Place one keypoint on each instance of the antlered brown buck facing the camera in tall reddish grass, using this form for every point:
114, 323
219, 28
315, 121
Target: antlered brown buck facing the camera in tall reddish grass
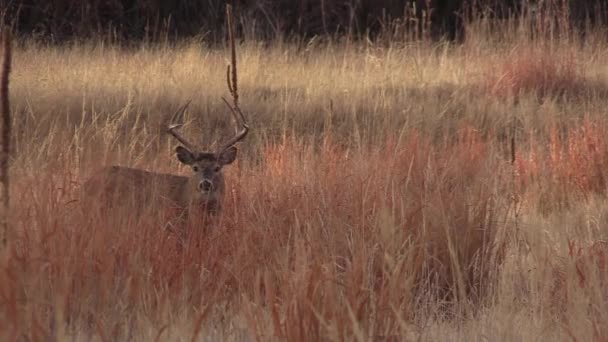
135, 189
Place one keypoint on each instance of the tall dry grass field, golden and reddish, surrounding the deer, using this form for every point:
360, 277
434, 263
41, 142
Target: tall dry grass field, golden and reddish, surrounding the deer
404, 192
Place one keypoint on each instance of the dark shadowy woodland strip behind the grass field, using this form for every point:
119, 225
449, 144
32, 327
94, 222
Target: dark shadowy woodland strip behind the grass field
154, 20
